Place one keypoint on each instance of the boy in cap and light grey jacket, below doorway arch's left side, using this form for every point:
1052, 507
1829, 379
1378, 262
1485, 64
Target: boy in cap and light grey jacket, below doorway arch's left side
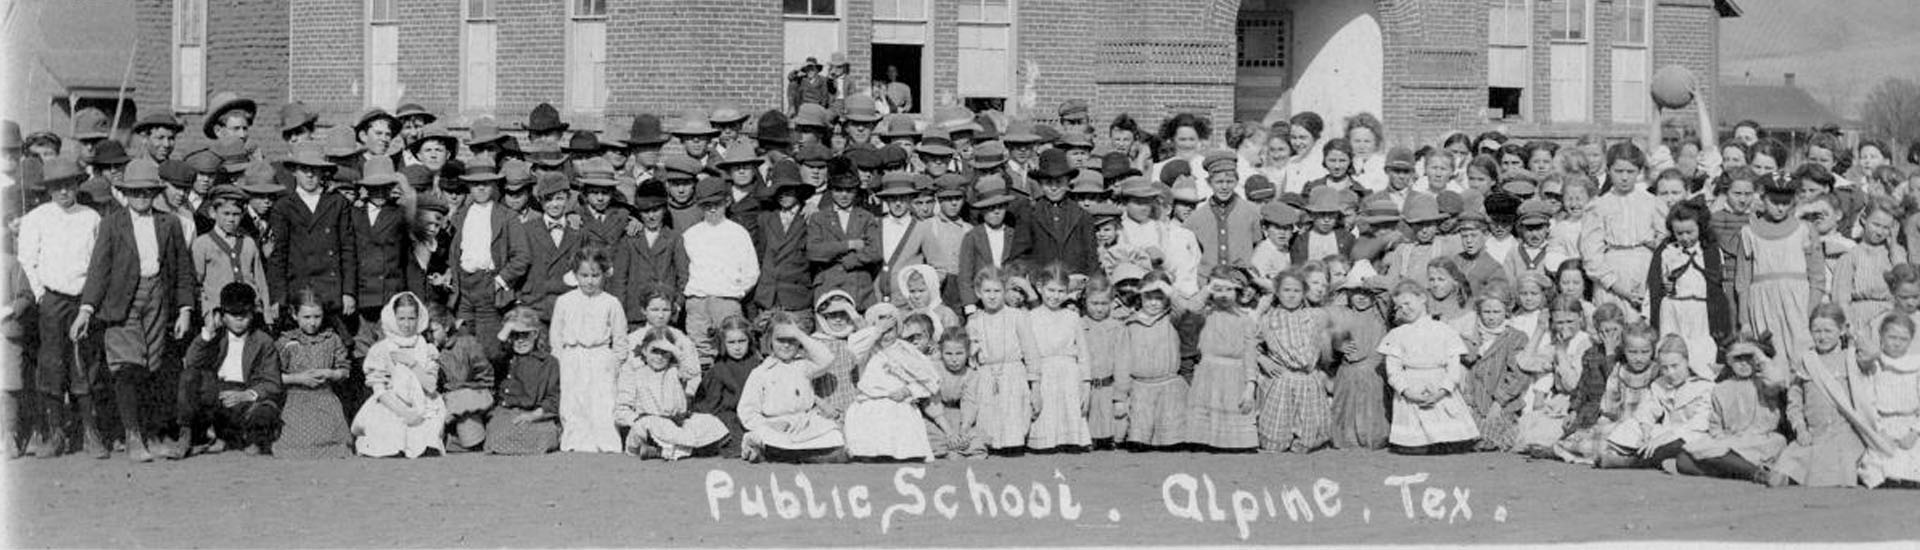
1228, 226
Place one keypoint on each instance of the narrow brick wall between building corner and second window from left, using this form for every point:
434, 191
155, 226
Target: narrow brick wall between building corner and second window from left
327, 43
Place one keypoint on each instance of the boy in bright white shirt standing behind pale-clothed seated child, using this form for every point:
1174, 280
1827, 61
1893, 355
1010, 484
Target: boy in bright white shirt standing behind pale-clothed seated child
721, 266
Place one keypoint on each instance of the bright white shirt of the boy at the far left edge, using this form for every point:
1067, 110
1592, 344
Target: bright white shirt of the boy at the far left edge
57, 245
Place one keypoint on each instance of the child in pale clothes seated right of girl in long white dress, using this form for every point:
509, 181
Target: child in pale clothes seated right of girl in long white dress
654, 399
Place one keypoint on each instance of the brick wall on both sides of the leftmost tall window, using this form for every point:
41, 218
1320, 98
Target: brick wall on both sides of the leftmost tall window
247, 55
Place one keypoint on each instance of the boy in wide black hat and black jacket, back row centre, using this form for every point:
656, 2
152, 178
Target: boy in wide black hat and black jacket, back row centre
1053, 228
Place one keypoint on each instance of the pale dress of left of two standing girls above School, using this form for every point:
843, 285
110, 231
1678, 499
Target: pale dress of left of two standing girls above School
1003, 345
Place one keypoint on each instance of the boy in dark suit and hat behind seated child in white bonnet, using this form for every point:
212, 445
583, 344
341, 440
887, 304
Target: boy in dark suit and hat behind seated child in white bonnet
385, 249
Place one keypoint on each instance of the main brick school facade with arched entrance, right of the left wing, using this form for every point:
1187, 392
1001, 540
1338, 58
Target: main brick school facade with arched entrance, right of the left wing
1537, 68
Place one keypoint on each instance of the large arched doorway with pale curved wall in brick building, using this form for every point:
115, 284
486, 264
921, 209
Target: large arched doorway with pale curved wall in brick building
1308, 57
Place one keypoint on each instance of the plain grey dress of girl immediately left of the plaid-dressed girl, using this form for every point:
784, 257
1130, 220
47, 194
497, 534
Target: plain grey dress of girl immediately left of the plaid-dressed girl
1226, 368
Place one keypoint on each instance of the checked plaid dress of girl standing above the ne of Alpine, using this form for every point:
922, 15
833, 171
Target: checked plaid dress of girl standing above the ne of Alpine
1295, 407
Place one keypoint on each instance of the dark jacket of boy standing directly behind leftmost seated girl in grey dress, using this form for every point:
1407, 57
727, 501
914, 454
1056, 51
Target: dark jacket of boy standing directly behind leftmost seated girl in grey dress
312, 247
